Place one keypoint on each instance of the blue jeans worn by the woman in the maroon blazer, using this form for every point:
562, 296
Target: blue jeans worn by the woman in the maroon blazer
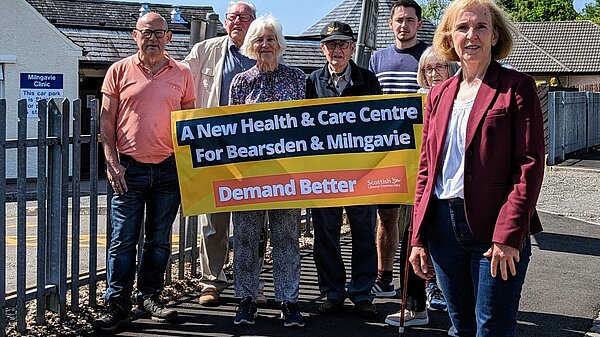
478, 304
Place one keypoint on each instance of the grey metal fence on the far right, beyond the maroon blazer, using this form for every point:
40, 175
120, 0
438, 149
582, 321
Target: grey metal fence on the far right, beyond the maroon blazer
573, 123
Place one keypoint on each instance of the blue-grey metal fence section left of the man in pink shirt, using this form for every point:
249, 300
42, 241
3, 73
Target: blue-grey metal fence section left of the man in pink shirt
57, 150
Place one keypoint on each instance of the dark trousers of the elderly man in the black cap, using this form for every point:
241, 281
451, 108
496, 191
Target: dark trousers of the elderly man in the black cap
328, 257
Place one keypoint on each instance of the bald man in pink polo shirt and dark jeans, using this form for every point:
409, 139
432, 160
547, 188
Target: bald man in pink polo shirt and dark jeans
140, 92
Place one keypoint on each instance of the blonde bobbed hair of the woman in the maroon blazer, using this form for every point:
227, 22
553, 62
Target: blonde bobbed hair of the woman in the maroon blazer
500, 22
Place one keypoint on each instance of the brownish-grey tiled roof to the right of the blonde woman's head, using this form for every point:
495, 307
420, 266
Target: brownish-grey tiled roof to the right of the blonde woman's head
560, 46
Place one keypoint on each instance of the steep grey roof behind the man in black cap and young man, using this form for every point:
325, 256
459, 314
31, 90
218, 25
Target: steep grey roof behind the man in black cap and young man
349, 12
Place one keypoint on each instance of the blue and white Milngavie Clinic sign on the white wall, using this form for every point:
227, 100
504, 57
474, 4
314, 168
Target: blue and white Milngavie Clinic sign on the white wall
35, 86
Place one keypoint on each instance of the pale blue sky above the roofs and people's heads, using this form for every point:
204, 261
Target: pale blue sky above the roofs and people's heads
295, 15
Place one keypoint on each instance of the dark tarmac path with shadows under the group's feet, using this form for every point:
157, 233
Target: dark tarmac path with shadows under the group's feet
560, 298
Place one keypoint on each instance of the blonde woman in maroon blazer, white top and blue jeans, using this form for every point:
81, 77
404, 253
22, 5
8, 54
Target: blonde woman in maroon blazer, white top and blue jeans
480, 173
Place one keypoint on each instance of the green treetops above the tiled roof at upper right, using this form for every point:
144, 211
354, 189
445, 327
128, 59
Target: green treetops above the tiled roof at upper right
544, 10
